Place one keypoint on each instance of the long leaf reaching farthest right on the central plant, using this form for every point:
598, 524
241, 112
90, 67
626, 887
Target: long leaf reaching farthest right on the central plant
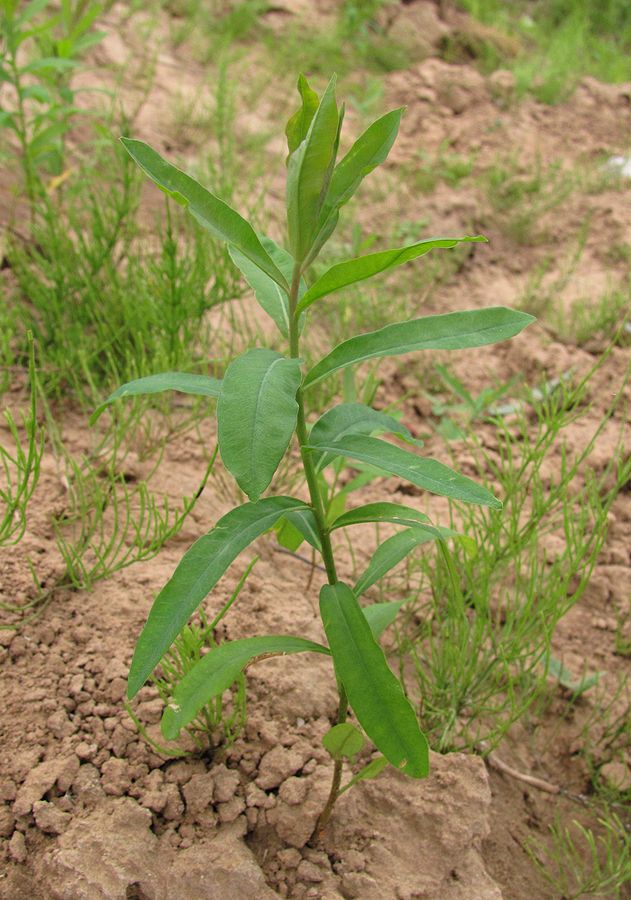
451, 331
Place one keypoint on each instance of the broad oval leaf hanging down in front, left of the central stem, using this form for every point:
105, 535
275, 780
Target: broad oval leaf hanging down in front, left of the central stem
256, 416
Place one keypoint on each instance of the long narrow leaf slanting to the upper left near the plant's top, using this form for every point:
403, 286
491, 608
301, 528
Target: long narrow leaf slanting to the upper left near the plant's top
213, 214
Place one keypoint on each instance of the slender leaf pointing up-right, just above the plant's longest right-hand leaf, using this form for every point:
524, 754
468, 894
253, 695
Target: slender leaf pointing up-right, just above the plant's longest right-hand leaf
353, 270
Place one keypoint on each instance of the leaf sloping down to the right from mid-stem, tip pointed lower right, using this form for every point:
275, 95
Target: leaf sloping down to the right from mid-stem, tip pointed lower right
428, 474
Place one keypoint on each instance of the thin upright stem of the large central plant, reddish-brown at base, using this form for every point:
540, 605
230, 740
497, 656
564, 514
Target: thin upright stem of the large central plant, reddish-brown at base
323, 531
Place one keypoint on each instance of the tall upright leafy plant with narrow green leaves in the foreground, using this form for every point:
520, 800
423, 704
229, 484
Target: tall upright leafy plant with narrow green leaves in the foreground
261, 408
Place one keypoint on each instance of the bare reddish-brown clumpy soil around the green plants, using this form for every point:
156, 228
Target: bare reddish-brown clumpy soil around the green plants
88, 810
